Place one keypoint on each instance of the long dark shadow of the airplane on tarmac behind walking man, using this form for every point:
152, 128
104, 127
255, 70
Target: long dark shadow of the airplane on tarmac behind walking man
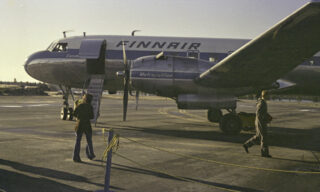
278, 136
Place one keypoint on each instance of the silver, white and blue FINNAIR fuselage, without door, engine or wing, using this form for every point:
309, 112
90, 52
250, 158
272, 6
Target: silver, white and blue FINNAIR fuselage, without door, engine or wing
61, 64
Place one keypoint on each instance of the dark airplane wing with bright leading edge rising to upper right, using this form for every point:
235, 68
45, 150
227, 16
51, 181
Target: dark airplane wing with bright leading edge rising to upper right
268, 57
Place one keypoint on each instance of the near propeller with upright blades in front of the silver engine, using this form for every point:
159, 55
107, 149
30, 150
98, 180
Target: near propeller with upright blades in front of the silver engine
126, 83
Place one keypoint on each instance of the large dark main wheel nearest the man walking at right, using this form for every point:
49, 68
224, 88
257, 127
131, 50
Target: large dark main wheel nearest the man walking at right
230, 124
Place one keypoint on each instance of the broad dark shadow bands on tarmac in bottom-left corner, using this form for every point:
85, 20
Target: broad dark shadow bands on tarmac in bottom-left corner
9, 179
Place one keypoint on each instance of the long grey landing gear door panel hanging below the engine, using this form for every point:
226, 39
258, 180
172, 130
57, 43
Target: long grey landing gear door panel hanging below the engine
196, 101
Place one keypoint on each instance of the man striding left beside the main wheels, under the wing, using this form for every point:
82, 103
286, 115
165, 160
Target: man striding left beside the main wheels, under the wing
262, 118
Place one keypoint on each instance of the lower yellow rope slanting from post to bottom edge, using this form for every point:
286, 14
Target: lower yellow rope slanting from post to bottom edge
174, 176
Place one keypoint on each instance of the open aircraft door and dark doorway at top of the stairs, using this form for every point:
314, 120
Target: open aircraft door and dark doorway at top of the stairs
94, 51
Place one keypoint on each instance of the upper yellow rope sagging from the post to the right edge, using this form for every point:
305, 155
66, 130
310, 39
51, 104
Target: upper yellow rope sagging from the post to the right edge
224, 163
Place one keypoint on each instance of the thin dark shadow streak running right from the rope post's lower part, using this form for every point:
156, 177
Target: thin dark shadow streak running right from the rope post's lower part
149, 172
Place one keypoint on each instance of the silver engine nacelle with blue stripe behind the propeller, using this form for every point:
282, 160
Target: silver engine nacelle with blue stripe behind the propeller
167, 75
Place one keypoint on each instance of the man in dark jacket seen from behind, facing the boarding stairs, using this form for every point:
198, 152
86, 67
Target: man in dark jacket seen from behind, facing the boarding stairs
84, 113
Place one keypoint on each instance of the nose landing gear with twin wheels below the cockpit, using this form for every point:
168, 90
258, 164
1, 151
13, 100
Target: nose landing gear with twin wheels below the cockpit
66, 112
